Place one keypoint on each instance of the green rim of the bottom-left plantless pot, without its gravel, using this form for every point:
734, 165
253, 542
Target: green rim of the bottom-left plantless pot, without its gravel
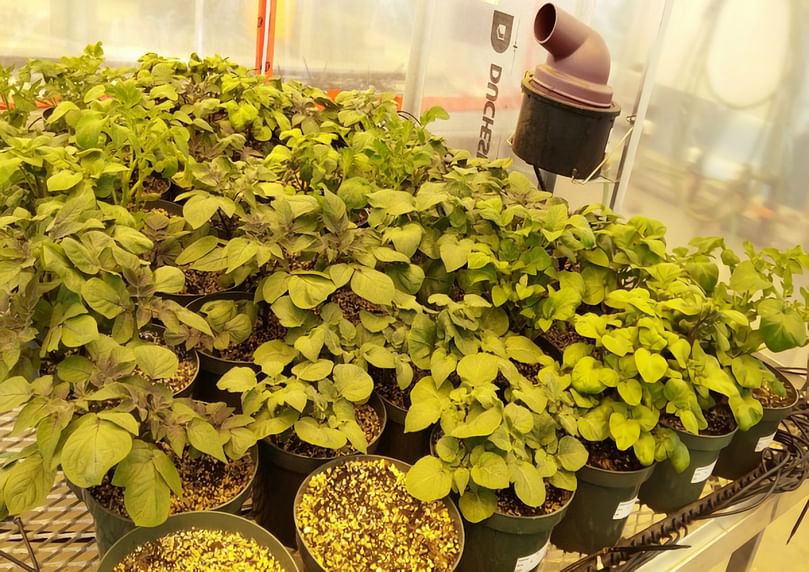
207, 520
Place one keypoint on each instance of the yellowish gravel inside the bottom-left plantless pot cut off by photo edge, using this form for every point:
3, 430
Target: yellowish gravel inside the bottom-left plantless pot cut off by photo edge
200, 550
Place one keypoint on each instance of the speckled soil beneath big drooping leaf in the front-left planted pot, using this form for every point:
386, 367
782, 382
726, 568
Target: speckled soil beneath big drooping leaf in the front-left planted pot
207, 483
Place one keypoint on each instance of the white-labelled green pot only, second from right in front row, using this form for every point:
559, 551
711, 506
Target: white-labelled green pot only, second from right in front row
667, 490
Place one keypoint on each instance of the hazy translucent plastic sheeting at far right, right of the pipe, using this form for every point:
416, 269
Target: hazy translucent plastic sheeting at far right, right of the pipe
725, 145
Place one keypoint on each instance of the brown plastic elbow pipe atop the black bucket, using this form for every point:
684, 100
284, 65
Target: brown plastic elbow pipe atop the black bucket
578, 64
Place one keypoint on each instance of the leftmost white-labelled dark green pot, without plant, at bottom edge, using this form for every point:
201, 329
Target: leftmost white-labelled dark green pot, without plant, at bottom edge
504, 543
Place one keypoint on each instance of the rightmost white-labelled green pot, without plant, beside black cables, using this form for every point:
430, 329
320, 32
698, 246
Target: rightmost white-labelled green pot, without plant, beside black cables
745, 451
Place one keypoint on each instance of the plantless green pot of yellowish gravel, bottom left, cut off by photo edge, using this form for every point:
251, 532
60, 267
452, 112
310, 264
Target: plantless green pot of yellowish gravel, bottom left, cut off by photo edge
197, 539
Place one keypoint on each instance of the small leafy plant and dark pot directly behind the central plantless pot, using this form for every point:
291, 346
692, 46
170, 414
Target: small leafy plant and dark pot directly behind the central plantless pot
323, 409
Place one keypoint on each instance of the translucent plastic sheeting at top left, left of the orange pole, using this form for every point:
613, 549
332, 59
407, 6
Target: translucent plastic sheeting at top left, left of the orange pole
128, 28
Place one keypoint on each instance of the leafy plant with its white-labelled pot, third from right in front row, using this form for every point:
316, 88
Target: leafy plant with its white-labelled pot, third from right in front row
616, 417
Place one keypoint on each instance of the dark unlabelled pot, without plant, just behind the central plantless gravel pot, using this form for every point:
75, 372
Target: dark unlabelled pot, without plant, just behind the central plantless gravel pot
281, 474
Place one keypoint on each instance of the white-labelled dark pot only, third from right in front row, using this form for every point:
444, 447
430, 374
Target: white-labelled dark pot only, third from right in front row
596, 516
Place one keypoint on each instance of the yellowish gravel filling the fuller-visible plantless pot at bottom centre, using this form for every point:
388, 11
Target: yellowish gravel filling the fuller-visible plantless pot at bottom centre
359, 516
